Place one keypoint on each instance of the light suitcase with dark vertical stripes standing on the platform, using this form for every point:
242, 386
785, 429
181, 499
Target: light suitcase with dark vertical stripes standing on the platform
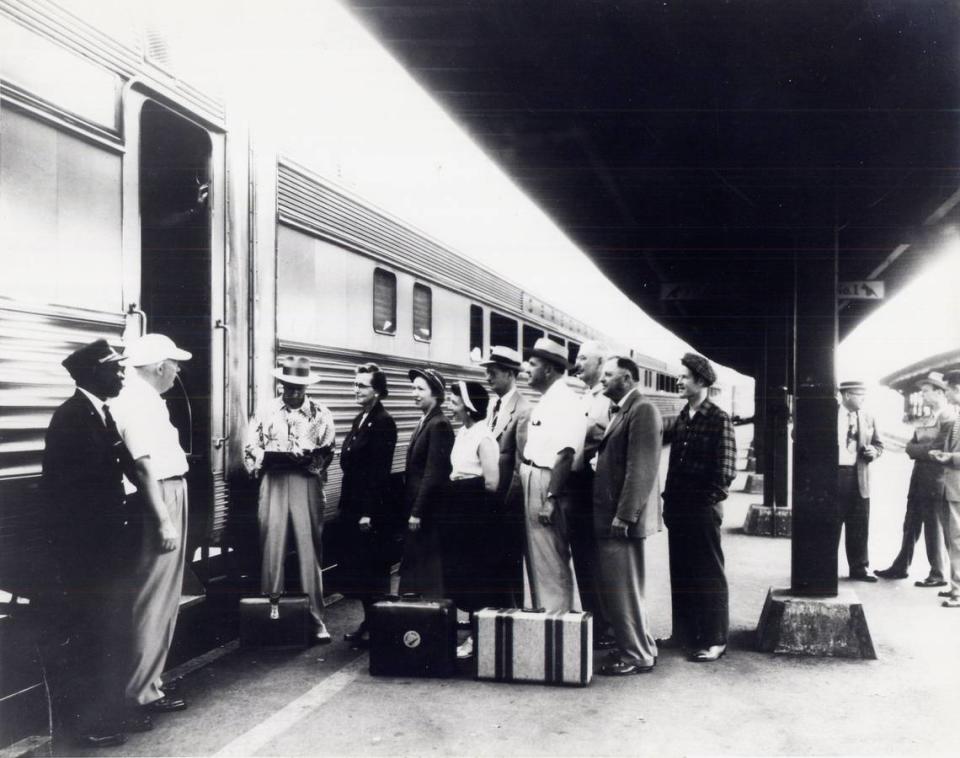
514, 645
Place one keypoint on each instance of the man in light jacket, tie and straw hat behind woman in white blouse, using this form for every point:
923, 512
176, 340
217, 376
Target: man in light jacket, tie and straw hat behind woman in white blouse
505, 417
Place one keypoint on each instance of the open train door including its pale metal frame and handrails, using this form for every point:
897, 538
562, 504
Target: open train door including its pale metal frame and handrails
174, 240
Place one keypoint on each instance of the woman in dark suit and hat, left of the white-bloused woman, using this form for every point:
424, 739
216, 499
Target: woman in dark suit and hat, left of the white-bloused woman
426, 487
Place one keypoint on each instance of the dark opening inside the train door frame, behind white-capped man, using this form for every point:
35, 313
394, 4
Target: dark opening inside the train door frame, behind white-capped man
177, 284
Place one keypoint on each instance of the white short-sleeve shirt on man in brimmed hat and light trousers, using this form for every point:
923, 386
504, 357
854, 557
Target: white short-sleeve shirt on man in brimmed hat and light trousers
557, 422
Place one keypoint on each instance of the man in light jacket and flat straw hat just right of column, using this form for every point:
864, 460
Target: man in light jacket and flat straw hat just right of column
860, 445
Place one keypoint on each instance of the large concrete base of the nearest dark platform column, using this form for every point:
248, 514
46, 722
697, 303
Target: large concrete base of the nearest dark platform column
821, 626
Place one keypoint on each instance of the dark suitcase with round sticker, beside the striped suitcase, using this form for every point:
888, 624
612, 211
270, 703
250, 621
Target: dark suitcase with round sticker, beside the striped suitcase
410, 636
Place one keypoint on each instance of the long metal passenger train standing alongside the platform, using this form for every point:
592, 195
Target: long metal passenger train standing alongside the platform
130, 202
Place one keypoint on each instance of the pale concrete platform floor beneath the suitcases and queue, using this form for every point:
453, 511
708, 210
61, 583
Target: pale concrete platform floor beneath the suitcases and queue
323, 702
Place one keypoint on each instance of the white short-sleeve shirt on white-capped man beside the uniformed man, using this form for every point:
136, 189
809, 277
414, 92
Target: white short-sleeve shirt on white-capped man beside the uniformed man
143, 420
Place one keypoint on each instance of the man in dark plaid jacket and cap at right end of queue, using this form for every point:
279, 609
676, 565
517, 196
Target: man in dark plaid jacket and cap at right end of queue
702, 466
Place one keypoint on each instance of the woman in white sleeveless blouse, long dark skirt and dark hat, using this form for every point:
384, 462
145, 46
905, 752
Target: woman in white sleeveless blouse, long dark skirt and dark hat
466, 535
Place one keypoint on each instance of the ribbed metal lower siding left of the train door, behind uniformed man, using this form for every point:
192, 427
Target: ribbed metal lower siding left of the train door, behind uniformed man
33, 384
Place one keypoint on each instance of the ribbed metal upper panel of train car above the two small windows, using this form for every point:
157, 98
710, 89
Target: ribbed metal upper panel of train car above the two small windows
305, 203
